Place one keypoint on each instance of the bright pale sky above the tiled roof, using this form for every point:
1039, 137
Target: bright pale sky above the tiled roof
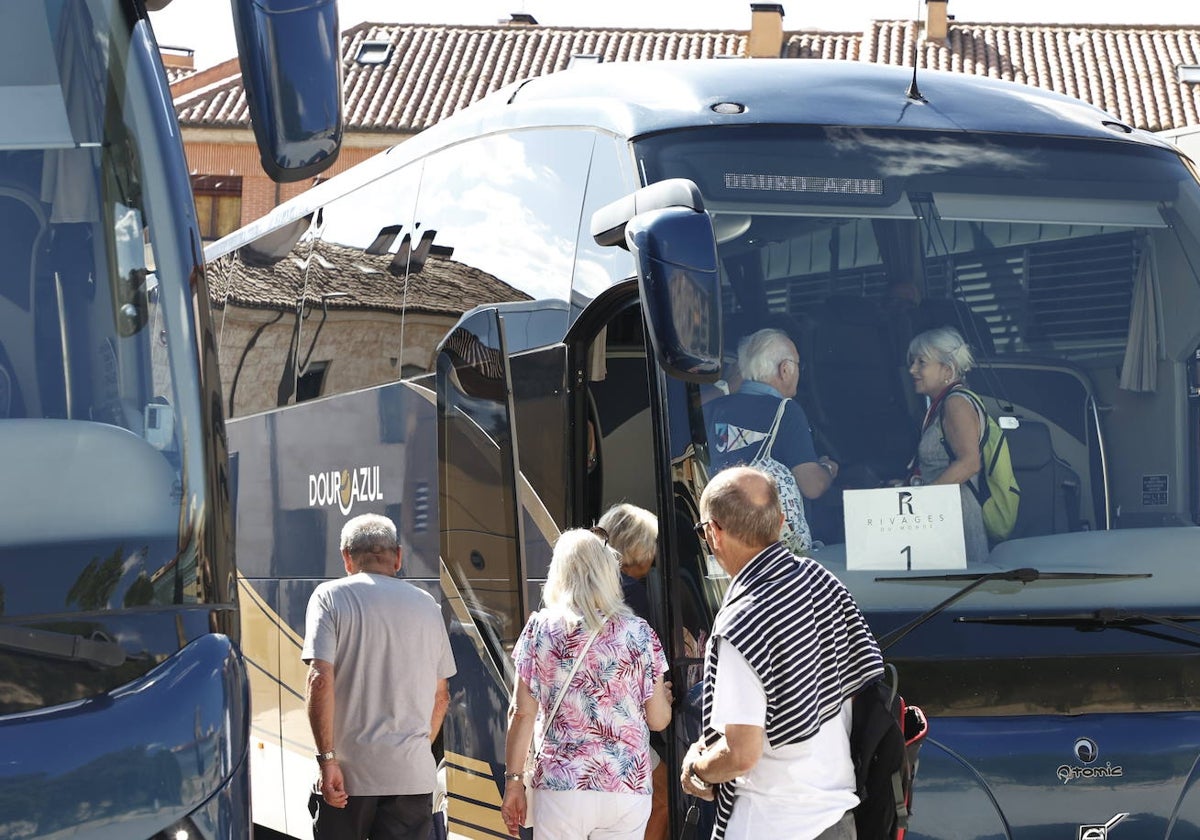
207, 26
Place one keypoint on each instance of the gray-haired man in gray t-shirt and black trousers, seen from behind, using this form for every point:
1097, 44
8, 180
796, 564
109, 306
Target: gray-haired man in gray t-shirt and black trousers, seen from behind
379, 662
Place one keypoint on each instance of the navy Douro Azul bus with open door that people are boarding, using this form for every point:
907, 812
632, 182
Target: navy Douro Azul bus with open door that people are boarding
517, 319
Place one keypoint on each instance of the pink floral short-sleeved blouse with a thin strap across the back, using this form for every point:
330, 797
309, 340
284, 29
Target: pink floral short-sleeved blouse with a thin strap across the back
598, 740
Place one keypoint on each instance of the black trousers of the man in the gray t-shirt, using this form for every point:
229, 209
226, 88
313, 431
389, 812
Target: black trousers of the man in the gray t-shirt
394, 818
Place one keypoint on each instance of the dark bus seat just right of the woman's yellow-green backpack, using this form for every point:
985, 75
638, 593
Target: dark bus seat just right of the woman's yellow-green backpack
1051, 489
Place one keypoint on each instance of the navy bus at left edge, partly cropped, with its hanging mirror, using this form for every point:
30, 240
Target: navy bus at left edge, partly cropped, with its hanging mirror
123, 693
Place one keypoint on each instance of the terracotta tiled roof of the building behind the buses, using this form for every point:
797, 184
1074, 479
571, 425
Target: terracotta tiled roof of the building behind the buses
428, 73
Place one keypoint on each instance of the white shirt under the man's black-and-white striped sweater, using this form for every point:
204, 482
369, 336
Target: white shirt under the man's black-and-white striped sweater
795, 791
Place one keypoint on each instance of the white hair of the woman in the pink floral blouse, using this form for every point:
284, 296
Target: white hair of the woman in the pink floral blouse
584, 584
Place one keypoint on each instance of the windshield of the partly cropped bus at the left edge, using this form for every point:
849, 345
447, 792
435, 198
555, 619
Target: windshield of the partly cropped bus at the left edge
94, 338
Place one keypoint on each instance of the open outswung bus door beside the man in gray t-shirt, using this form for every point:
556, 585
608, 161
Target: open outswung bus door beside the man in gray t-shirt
482, 562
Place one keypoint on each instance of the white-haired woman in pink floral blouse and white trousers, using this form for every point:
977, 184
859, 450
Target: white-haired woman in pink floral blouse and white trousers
593, 773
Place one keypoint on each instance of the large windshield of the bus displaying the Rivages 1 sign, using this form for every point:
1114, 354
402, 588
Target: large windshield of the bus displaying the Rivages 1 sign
1071, 269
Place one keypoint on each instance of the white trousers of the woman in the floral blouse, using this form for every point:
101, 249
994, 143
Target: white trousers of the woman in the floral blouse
590, 815
